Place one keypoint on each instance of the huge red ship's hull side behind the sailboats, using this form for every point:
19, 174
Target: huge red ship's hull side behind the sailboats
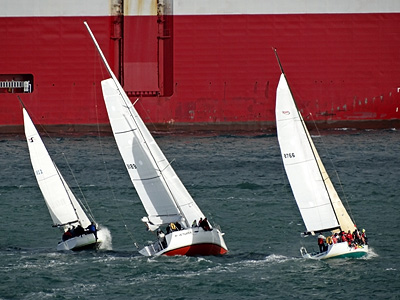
212, 71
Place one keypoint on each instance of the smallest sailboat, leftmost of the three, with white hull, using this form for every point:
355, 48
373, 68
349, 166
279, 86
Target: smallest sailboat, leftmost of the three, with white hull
79, 232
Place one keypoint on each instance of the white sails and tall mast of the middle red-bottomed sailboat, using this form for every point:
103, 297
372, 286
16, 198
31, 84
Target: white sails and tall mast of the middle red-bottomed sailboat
162, 193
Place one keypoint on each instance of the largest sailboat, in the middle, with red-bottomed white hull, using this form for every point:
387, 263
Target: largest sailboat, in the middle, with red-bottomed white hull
166, 201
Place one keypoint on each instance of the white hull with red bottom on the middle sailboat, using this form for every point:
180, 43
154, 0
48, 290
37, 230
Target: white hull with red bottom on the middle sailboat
191, 241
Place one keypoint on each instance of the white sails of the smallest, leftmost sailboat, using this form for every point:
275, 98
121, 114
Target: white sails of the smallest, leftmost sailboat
62, 204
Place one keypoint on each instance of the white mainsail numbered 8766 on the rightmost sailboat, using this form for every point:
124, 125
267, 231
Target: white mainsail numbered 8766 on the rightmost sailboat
310, 183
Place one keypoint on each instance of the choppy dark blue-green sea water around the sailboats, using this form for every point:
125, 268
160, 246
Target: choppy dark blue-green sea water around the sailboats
240, 185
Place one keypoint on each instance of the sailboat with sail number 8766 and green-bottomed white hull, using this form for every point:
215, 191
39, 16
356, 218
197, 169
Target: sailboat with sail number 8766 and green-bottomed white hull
318, 202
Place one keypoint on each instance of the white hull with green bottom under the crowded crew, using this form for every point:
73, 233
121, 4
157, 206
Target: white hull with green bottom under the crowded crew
339, 250
